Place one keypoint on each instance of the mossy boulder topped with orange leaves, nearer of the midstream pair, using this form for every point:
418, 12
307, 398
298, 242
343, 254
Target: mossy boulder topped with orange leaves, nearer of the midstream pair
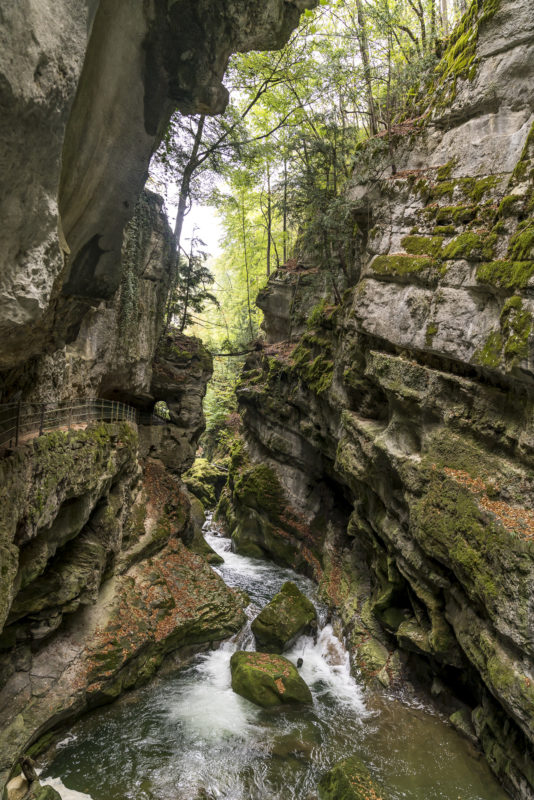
267, 679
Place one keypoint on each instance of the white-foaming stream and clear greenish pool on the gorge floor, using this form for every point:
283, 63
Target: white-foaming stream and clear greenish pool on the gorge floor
188, 736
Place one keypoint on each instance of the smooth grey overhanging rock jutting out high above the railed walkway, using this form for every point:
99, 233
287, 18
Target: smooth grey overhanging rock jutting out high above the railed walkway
86, 90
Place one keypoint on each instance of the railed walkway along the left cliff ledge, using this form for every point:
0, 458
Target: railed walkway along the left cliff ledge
20, 422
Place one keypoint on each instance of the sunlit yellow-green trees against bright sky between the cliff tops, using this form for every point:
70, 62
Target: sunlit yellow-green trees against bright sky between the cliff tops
274, 166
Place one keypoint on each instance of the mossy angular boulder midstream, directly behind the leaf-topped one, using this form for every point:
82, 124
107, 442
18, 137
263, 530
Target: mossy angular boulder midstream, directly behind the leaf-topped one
287, 616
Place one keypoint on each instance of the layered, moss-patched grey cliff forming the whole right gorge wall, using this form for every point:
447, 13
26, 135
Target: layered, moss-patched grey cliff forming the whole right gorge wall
395, 432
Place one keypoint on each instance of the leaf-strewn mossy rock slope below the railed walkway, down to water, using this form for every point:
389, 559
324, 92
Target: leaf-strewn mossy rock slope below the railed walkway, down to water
97, 583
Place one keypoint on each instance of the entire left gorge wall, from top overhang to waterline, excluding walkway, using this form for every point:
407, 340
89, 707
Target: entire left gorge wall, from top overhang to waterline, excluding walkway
97, 582
